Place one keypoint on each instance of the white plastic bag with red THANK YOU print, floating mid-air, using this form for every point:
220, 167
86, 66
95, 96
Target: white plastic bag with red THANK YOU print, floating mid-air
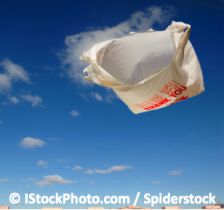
148, 70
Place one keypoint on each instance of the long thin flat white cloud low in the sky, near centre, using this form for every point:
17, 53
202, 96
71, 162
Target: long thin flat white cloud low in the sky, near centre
112, 169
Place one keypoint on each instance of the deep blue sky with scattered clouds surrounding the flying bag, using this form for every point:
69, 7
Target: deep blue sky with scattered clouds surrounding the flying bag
51, 123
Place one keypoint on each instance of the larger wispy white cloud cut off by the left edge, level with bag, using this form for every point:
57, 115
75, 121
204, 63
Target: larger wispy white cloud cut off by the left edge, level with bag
11, 73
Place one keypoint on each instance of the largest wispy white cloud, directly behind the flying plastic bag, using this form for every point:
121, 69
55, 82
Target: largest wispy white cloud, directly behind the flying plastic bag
78, 43
